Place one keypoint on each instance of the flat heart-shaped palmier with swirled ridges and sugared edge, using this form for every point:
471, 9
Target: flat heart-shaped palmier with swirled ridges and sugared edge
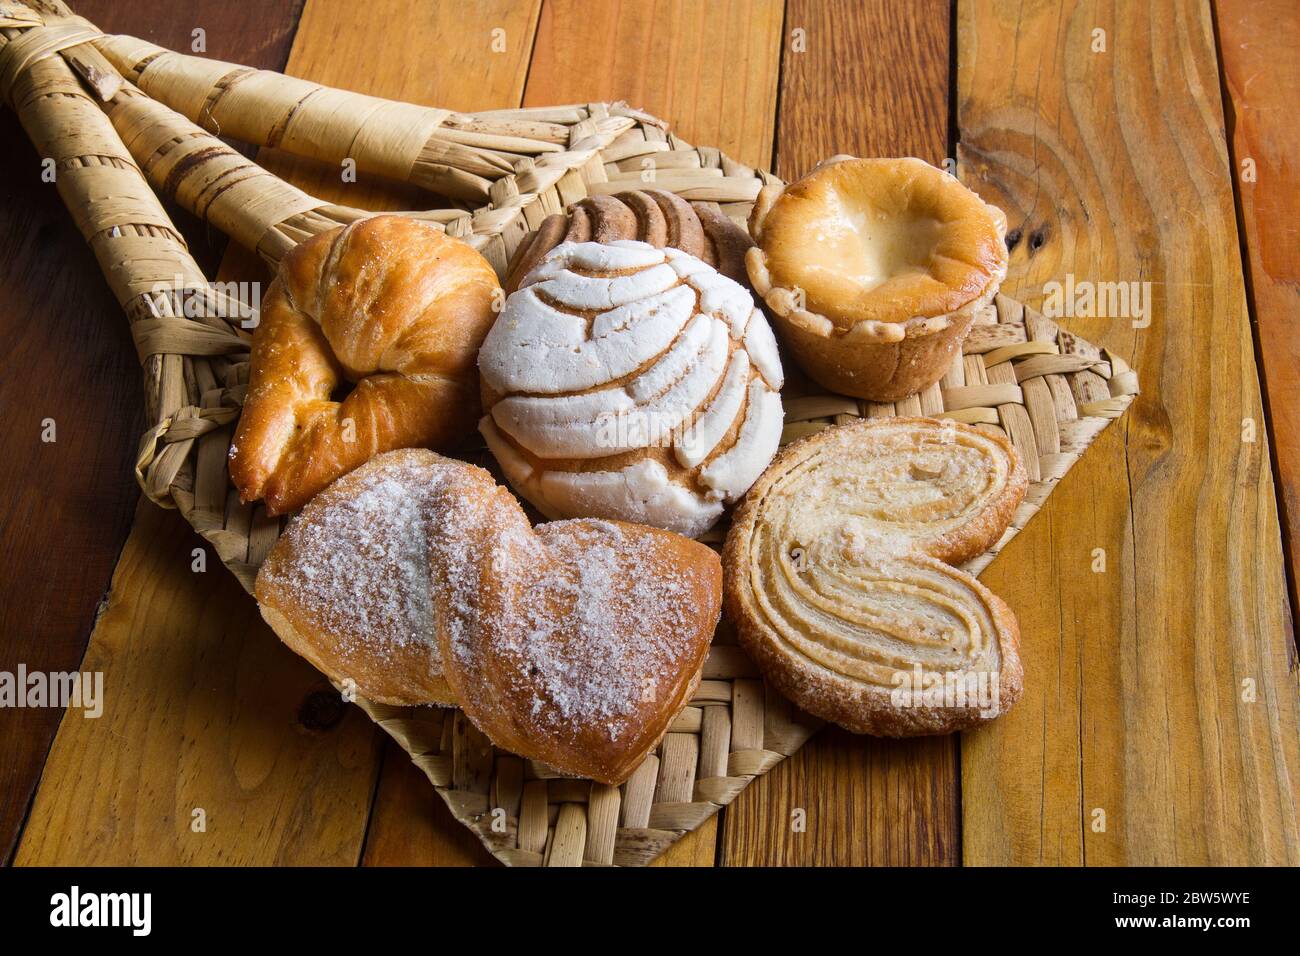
840, 579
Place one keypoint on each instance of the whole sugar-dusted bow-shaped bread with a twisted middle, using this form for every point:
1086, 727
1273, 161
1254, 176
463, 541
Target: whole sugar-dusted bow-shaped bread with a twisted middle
418, 579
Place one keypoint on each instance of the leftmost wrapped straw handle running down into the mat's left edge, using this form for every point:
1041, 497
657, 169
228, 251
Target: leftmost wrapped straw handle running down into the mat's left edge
194, 366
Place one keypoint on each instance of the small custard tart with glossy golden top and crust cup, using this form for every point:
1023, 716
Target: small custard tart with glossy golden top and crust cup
876, 270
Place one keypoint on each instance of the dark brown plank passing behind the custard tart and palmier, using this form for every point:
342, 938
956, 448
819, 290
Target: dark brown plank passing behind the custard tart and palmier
872, 80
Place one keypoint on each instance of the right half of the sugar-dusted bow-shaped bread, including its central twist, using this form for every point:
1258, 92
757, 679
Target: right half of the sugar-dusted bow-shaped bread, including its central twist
574, 643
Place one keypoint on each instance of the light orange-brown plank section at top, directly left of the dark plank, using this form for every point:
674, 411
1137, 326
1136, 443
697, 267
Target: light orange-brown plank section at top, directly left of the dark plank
662, 57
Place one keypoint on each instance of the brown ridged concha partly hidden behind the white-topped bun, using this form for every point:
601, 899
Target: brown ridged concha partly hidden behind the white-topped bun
655, 217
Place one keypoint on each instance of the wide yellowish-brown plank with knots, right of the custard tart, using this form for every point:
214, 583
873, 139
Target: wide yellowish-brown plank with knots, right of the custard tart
1112, 166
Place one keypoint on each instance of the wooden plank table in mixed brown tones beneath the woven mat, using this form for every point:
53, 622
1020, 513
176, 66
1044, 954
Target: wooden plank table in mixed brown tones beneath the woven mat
1129, 141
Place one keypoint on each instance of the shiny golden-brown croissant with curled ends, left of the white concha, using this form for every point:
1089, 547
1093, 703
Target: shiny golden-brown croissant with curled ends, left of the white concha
389, 304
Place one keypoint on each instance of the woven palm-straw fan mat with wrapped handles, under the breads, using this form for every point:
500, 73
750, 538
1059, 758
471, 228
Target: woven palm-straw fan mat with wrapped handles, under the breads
88, 102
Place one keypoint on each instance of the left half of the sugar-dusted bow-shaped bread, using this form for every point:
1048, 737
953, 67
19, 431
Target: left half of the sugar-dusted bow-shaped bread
346, 585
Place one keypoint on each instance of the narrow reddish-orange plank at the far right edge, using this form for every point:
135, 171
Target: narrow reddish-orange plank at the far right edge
1260, 55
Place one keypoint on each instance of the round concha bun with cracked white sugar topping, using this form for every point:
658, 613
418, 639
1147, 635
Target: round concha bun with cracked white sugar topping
631, 383
